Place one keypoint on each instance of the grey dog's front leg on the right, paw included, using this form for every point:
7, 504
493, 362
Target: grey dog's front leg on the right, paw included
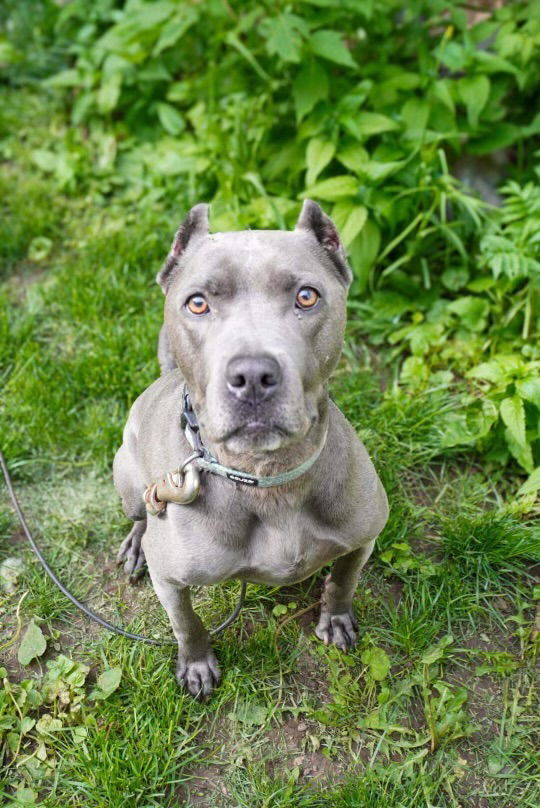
337, 623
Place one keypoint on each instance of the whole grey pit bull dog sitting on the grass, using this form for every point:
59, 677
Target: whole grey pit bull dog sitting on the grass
254, 324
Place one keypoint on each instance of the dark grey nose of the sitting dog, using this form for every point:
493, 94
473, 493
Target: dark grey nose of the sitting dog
253, 379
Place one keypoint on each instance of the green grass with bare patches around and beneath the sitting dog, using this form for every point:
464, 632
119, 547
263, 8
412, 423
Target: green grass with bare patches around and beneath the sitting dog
447, 599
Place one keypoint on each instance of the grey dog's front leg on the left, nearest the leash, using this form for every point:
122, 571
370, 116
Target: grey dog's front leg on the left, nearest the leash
197, 668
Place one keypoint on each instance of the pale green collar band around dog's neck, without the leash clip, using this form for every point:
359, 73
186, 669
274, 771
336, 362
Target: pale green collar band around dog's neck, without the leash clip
207, 462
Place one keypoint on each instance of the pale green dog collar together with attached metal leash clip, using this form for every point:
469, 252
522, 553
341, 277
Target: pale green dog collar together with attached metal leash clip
183, 485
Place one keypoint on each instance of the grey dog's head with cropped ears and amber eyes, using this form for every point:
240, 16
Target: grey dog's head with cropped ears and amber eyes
255, 321
